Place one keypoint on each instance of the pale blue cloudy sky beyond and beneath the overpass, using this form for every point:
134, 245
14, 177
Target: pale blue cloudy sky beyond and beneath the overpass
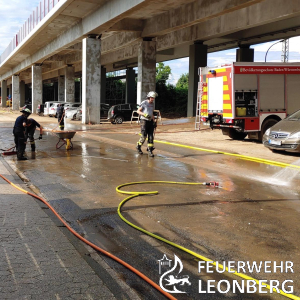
14, 13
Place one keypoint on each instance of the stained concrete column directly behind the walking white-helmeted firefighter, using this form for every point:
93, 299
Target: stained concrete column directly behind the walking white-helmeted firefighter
146, 69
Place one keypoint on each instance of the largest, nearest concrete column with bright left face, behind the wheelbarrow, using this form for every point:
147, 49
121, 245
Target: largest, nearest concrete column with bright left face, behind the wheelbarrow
91, 80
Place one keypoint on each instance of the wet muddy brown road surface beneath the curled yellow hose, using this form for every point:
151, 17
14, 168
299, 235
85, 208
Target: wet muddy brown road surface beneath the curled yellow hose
253, 216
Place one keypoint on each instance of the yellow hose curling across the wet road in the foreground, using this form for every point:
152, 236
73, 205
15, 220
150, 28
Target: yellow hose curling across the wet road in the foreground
201, 257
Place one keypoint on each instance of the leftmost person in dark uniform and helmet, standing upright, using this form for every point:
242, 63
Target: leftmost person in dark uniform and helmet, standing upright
19, 133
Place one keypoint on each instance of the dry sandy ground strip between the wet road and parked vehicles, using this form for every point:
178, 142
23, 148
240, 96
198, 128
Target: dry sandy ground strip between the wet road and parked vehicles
181, 131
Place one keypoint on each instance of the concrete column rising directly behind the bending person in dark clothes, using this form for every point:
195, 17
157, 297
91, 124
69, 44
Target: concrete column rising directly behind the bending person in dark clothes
37, 87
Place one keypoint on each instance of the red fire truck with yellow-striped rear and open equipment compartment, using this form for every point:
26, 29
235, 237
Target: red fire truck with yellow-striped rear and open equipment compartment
248, 98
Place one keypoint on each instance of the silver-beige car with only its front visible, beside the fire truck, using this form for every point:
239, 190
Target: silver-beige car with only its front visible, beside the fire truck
284, 135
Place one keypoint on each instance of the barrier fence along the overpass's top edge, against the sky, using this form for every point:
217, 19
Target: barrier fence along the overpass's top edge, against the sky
37, 15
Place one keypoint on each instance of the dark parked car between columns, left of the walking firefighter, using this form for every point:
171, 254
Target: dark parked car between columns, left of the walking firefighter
121, 112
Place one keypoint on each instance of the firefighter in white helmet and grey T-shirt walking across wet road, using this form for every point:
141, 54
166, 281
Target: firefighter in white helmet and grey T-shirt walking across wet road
147, 122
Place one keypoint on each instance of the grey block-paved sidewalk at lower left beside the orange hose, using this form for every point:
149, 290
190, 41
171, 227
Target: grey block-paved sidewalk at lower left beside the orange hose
40, 259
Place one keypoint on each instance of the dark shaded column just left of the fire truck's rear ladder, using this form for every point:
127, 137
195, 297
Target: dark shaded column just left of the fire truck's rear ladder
197, 59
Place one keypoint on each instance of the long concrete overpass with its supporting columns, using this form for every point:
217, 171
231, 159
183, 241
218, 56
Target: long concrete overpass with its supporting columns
91, 37
